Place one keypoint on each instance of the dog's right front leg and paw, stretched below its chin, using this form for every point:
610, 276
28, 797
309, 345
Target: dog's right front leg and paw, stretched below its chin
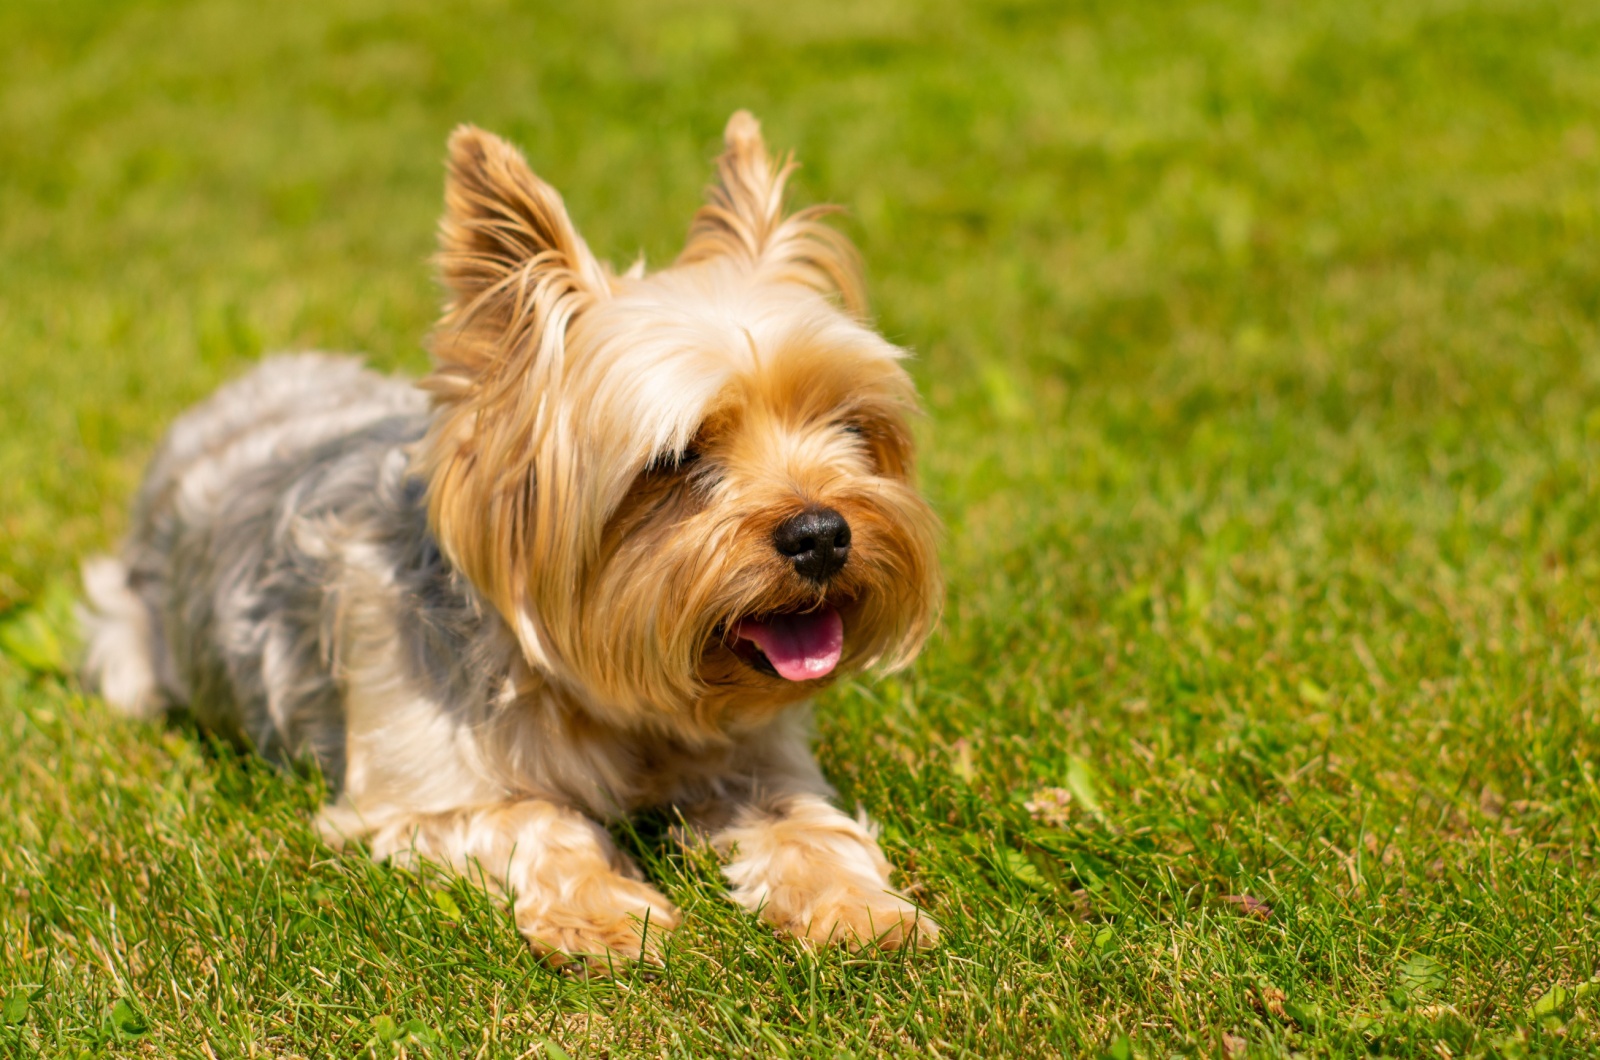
818, 875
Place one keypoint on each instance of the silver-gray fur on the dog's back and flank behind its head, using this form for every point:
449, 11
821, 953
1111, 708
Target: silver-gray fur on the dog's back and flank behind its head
250, 505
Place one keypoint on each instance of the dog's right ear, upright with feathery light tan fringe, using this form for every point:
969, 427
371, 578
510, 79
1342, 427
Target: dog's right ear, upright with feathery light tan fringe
745, 220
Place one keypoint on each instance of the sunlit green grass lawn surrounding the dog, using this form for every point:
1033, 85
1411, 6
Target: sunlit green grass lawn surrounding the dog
1262, 350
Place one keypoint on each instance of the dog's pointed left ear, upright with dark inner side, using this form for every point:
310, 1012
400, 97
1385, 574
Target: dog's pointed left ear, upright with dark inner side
514, 265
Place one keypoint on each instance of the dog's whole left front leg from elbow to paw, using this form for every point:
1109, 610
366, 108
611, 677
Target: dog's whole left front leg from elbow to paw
574, 893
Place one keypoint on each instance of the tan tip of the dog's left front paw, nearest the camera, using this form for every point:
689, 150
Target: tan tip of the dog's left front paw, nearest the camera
601, 928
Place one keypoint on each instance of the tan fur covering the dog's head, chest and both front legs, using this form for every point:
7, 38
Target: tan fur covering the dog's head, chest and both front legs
620, 568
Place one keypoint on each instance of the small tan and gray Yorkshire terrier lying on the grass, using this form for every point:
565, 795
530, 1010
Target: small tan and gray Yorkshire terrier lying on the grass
596, 563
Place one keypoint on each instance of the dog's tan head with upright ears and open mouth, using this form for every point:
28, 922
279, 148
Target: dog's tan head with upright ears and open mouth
687, 492
